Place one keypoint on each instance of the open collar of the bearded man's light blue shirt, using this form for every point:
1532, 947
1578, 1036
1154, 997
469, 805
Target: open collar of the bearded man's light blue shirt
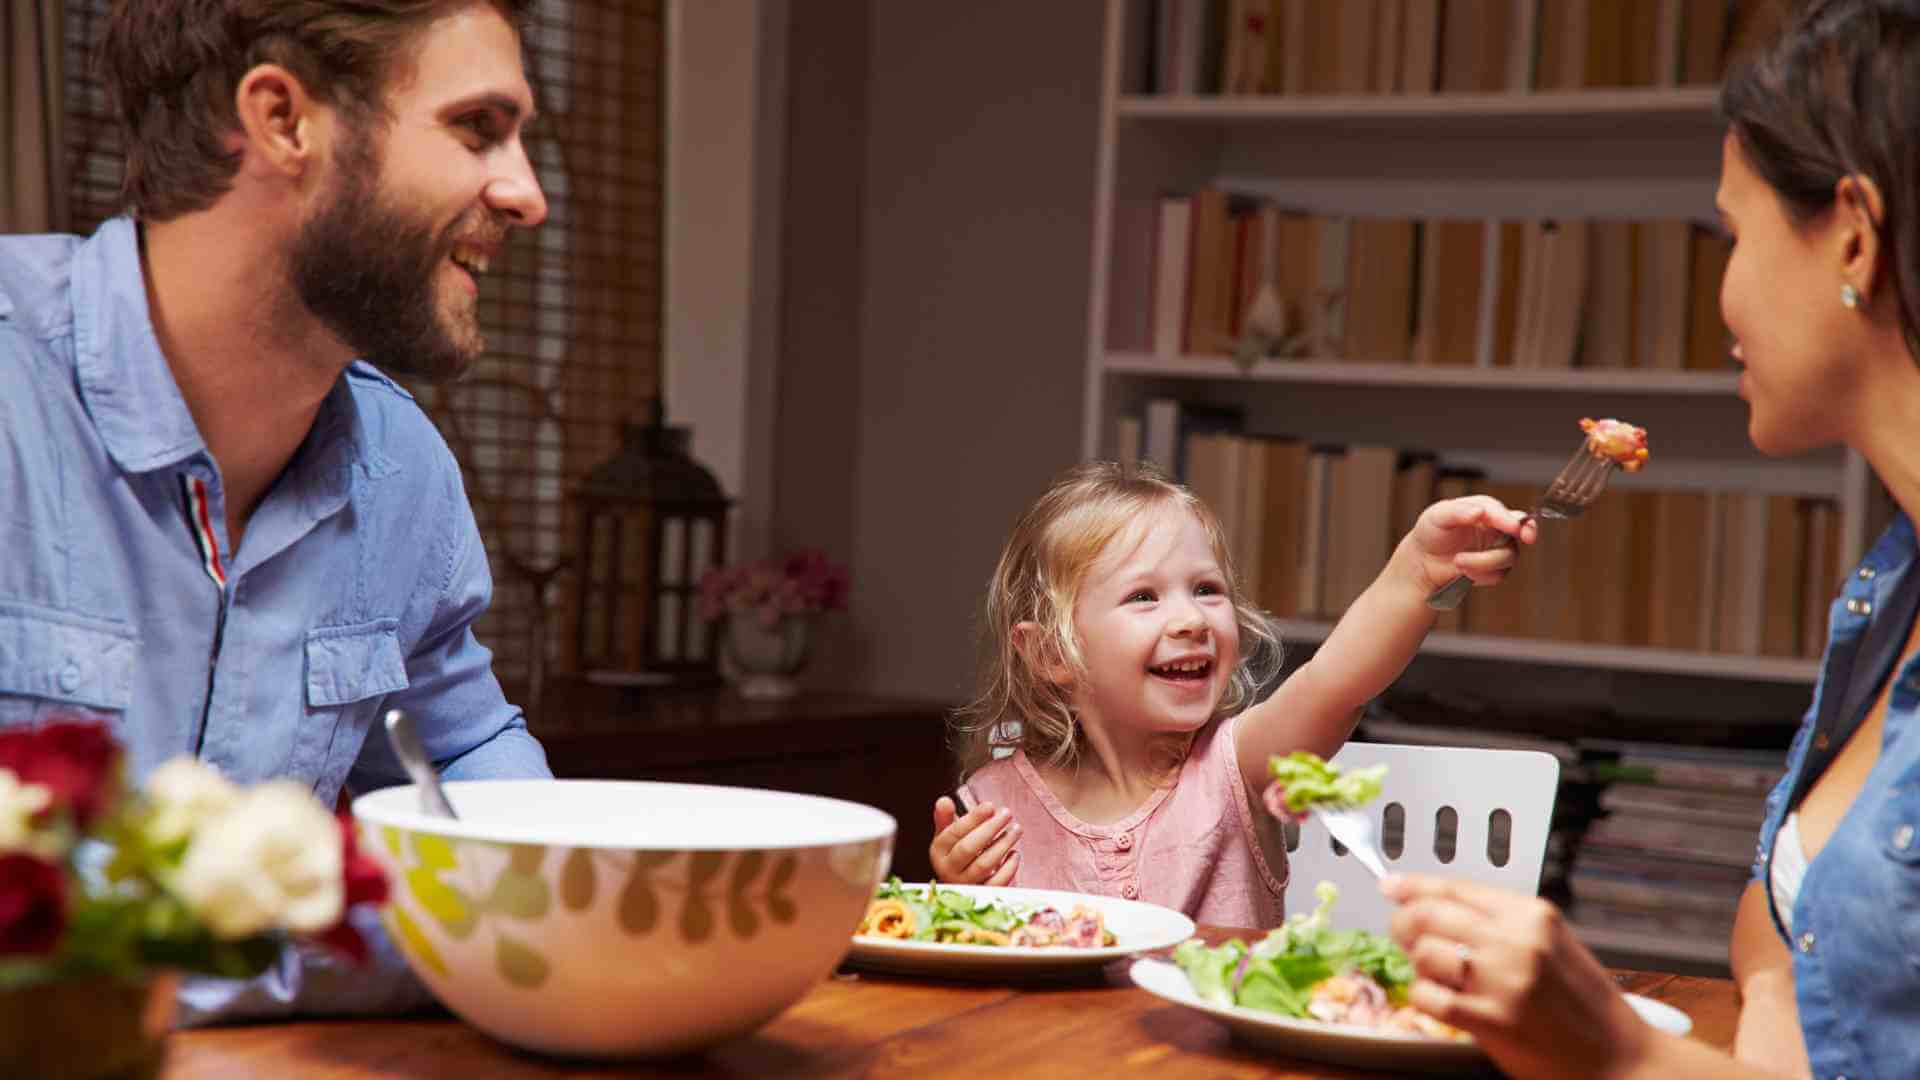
135, 403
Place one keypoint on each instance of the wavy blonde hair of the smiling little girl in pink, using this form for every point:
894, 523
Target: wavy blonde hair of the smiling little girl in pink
1040, 579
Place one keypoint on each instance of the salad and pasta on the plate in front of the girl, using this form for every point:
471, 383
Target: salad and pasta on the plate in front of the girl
951, 918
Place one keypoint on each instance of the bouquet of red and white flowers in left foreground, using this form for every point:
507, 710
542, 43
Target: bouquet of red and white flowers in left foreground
108, 889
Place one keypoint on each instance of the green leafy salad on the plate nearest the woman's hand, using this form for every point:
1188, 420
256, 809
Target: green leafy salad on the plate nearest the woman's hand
1282, 971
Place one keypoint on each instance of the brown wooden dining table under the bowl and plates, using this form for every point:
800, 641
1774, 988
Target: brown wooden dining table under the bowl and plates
859, 1025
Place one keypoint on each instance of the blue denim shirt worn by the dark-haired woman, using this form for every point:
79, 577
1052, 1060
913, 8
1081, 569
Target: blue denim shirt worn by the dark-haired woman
1858, 916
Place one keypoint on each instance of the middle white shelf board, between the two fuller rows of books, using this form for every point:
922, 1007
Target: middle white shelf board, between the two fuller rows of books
1341, 374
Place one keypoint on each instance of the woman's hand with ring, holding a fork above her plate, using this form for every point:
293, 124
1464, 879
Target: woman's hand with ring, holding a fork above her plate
1510, 971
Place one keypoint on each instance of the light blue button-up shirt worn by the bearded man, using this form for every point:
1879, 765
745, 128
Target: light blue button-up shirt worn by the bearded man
354, 589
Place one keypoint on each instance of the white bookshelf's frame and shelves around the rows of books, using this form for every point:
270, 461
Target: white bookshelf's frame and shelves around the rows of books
1595, 155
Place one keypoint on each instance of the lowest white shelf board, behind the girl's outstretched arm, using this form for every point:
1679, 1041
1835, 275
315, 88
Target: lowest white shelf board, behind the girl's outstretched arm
1583, 654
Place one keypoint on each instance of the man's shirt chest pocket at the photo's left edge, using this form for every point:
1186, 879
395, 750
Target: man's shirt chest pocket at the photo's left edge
66, 666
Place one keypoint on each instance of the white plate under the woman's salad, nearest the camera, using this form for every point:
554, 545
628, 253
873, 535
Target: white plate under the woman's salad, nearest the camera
1353, 1046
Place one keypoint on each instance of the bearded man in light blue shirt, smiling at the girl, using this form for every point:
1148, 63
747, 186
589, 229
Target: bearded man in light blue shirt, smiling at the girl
226, 531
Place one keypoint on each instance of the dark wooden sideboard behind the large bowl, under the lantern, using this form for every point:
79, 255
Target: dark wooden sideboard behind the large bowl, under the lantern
884, 752
